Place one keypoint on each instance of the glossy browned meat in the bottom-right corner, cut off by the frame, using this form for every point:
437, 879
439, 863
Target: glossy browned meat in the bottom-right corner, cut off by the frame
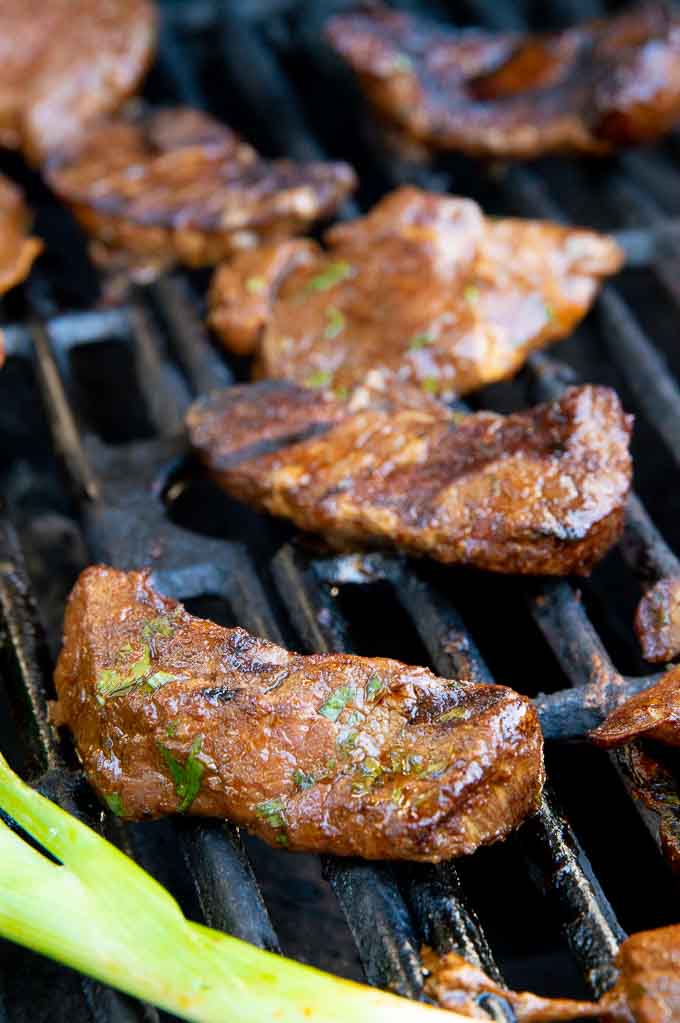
648, 990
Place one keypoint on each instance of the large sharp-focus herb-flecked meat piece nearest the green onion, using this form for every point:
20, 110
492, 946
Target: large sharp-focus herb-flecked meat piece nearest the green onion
347, 755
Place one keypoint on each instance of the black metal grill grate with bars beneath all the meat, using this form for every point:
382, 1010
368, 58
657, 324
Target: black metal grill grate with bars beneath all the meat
549, 908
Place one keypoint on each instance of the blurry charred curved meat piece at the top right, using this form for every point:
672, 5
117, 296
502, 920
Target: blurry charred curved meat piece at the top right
588, 90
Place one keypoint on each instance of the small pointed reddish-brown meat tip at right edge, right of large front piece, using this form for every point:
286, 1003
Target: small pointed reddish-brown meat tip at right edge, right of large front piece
655, 714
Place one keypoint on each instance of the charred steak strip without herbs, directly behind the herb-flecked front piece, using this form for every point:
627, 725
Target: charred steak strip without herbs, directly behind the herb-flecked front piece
541, 492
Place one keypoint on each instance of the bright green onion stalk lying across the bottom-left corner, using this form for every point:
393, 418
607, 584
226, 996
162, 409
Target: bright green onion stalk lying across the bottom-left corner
100, 913
